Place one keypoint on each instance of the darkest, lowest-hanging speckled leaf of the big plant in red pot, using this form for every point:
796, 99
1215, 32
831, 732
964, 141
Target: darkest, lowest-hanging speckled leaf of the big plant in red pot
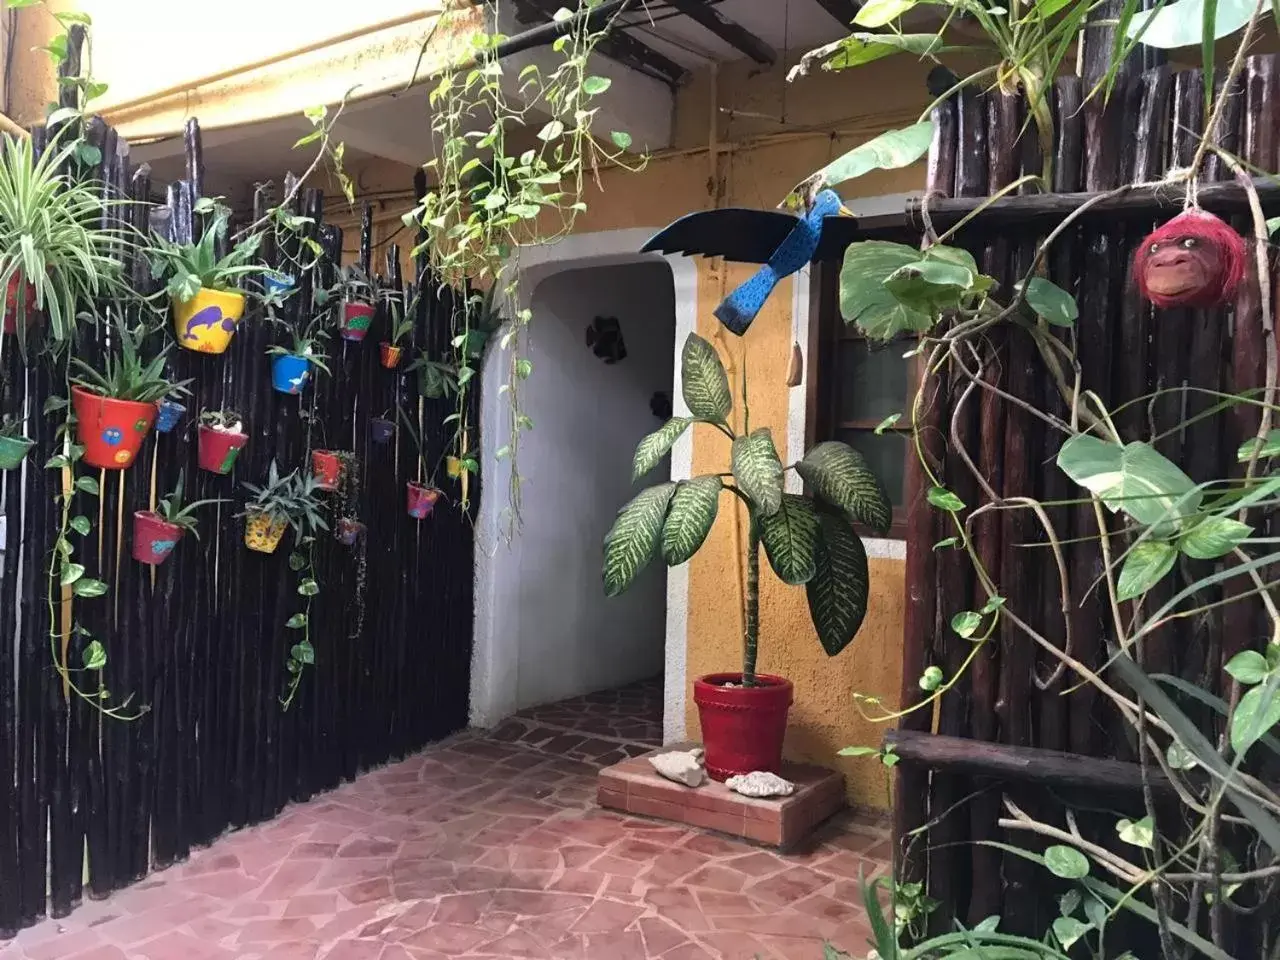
838, 592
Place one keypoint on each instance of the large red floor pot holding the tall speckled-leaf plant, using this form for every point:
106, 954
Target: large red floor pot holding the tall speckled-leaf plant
743, 728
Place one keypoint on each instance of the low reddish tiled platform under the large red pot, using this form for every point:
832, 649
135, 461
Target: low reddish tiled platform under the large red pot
634, 787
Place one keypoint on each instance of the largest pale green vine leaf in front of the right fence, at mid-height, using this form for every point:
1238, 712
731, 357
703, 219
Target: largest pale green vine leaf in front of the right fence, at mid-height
1133, 478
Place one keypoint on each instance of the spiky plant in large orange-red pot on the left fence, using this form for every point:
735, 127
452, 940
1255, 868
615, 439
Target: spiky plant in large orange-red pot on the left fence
116, 406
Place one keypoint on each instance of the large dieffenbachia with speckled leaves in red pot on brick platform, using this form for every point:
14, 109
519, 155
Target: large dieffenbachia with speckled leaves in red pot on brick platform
808, 540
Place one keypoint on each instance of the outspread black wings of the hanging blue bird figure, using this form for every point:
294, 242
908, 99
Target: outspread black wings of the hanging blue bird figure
746, 236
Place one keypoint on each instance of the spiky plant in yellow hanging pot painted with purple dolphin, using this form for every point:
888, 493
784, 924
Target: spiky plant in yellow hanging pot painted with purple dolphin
202, 286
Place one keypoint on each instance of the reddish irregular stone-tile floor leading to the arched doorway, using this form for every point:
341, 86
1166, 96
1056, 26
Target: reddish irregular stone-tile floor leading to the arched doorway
478, 848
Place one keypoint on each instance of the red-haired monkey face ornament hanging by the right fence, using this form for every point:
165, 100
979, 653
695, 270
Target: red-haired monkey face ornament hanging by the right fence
1195, 260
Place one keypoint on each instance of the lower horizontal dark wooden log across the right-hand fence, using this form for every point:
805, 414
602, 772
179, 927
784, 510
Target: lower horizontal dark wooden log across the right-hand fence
1021, 764
